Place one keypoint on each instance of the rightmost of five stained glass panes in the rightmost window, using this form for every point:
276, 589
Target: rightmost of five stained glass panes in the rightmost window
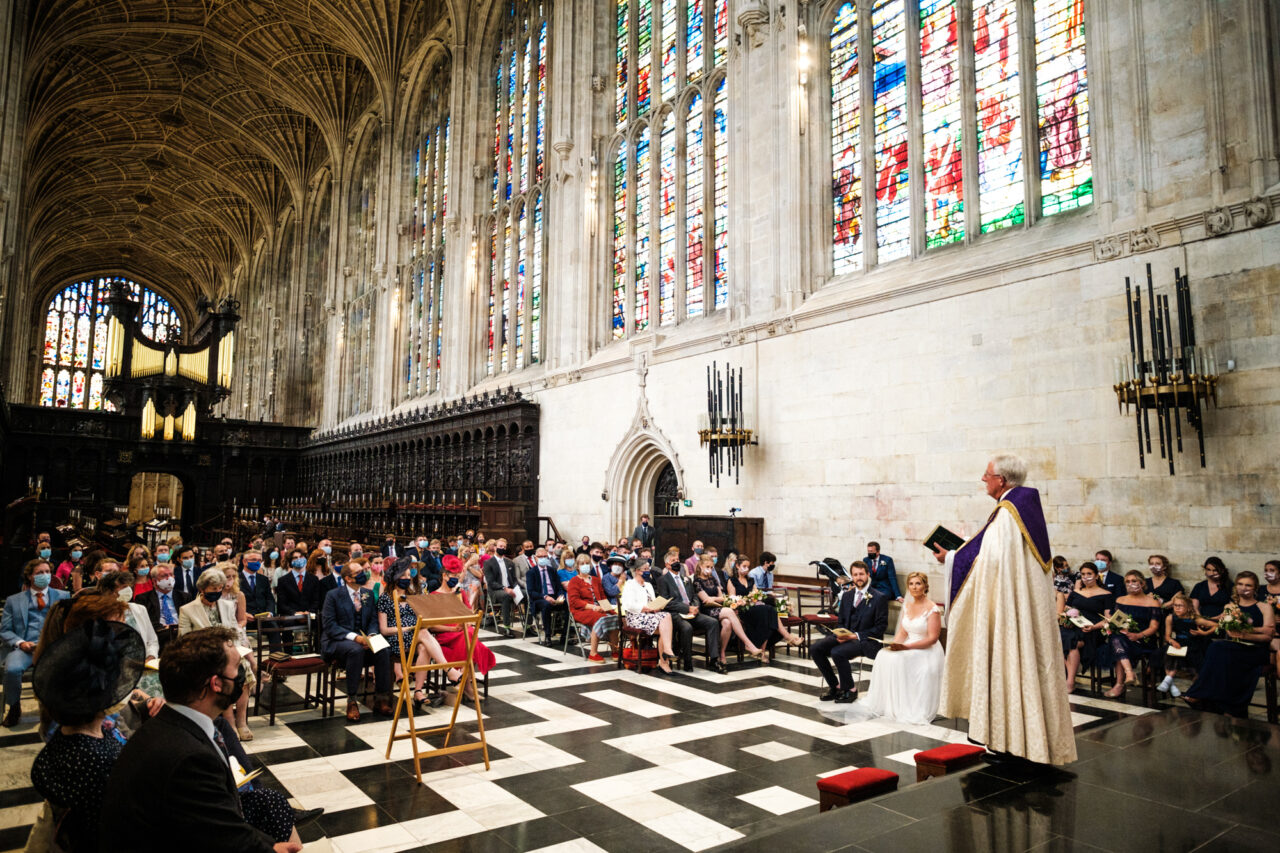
1063, 104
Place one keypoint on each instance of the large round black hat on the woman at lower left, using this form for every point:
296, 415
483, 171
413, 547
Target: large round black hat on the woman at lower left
90, 669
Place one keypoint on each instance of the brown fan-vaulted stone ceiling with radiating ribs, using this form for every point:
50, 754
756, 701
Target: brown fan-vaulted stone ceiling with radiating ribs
170, 136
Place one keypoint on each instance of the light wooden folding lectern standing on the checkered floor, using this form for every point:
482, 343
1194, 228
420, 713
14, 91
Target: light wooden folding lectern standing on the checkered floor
436, 612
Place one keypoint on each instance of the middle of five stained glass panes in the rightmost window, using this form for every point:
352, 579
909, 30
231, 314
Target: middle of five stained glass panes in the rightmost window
941, 116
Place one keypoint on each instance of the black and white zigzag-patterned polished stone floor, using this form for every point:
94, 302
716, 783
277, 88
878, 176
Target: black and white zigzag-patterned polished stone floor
584, 758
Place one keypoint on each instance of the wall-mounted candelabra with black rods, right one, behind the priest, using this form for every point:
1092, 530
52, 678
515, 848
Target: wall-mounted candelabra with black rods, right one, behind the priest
1164, 376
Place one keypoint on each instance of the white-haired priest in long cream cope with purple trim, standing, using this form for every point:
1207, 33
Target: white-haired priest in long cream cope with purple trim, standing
1004, 667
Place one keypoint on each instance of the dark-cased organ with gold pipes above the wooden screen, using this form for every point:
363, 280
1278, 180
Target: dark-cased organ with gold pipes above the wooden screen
168, 385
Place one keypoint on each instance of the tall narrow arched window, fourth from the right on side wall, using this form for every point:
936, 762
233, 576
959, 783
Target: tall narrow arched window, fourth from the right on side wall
429, 172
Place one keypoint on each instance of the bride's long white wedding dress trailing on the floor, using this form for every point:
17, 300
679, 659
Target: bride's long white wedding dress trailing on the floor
907, 686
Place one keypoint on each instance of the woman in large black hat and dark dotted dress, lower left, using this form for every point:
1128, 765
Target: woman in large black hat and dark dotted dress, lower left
79, 678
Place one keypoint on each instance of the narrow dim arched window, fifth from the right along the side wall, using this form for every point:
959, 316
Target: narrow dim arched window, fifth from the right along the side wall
362, 305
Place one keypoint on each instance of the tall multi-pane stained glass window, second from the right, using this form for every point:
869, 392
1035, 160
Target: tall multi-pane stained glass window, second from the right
670, 162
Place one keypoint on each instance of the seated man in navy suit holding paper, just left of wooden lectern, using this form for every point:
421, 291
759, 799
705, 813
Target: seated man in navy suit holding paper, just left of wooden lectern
346, 622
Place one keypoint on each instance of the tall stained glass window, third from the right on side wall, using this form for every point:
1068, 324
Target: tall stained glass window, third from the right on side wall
516, 232
